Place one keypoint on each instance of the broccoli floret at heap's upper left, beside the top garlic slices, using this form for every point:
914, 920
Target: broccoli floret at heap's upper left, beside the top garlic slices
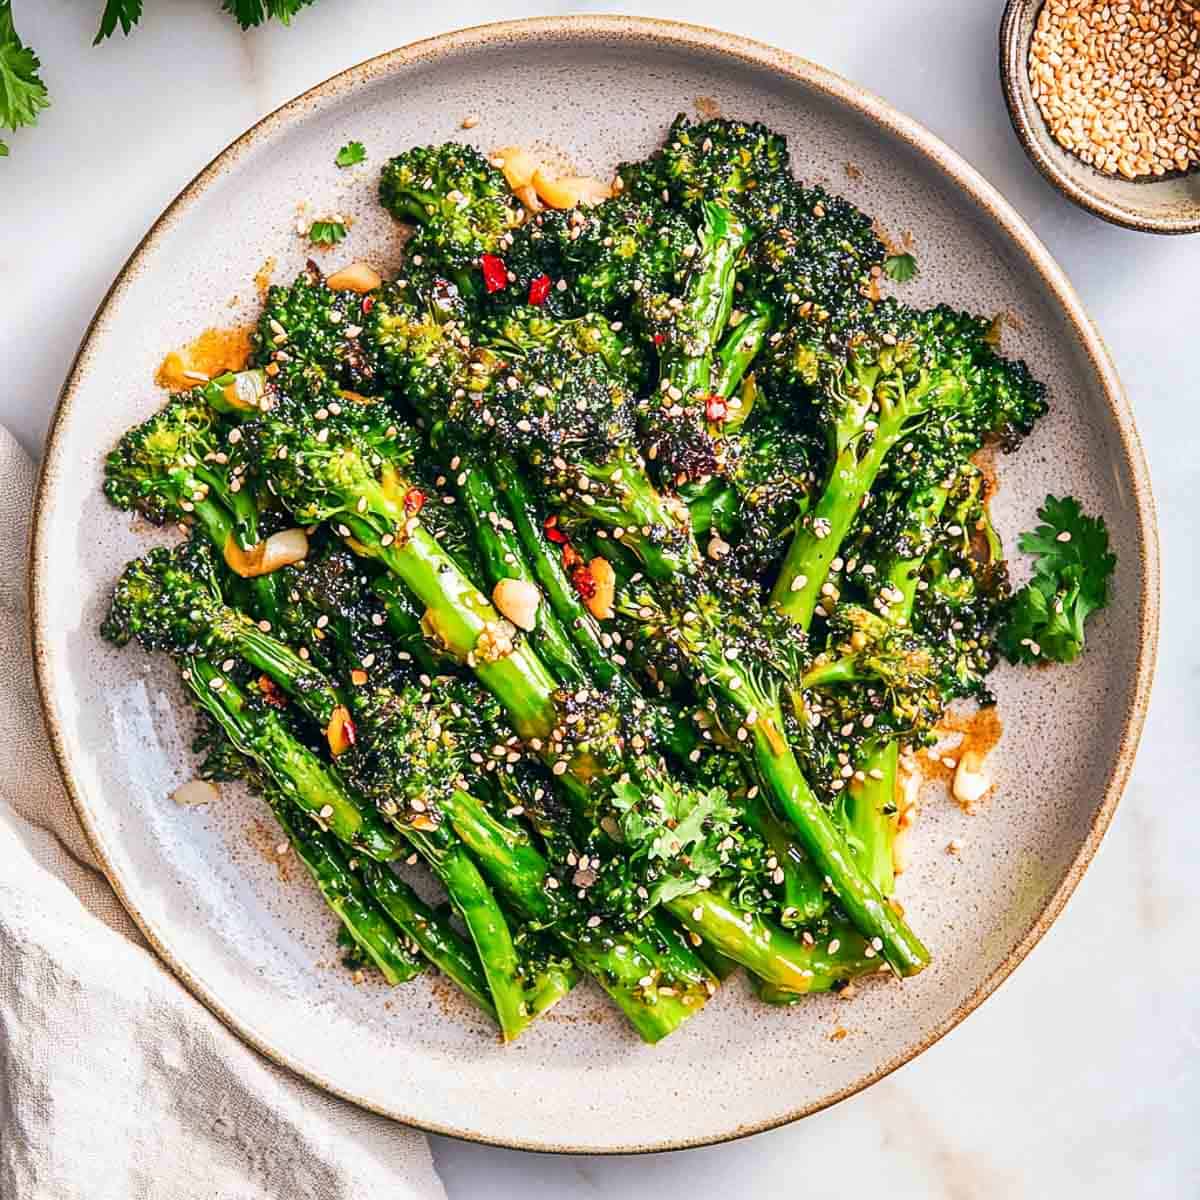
460, 202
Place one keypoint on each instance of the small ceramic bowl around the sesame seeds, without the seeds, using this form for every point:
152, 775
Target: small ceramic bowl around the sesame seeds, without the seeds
1169, 205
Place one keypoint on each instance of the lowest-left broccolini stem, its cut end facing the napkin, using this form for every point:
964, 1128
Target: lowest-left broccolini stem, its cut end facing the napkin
346, 895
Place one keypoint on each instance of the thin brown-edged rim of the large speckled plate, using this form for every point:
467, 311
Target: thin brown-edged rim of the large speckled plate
949, 165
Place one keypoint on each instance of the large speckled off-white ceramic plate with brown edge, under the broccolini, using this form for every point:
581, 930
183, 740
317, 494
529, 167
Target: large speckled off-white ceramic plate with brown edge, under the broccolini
202, 884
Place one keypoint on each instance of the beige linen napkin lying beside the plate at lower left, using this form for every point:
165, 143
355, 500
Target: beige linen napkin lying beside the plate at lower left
115, 1083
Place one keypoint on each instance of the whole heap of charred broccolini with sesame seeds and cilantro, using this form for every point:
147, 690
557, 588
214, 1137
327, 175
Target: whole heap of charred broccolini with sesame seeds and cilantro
608, 562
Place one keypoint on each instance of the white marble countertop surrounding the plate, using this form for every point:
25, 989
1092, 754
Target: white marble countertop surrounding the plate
1081, 1076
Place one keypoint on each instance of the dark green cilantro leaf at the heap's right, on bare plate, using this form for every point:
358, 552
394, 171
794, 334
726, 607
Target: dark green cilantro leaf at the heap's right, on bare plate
1071, 581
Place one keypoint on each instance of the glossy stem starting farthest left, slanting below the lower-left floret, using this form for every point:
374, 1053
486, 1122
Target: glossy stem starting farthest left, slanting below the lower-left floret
295, 770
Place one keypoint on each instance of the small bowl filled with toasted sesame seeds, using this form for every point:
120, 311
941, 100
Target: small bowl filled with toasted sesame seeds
1105, 97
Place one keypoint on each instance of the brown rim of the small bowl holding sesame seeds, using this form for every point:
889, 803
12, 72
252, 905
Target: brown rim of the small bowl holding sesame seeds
1013, 55
